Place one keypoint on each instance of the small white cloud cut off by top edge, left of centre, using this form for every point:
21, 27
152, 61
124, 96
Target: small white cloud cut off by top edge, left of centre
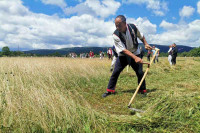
60, 3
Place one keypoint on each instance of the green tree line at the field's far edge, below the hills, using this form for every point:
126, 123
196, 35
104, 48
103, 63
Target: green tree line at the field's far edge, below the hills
7, 53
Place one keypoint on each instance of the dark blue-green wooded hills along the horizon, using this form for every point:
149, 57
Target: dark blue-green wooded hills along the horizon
78, 50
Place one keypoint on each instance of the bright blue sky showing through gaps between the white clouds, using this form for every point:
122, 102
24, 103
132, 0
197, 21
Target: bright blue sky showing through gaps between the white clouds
129, 10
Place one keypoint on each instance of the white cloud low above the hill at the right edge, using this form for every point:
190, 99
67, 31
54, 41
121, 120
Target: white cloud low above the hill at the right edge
182, 34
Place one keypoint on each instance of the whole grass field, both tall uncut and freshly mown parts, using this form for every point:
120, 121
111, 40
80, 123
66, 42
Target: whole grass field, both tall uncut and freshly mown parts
64, 95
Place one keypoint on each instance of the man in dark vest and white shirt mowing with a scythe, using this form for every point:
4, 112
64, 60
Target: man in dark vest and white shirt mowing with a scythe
126, 44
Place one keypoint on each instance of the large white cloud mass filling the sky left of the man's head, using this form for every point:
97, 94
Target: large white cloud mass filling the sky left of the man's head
31, 30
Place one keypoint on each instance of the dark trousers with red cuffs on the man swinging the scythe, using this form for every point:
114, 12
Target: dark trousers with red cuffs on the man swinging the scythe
121, 63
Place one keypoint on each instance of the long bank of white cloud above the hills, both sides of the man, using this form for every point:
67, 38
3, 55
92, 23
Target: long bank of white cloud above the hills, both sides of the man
19, 26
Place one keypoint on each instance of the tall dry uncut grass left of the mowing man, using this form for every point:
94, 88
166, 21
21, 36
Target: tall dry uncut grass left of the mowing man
42, 95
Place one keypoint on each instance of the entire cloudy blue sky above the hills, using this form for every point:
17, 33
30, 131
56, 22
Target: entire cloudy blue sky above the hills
55, 24
